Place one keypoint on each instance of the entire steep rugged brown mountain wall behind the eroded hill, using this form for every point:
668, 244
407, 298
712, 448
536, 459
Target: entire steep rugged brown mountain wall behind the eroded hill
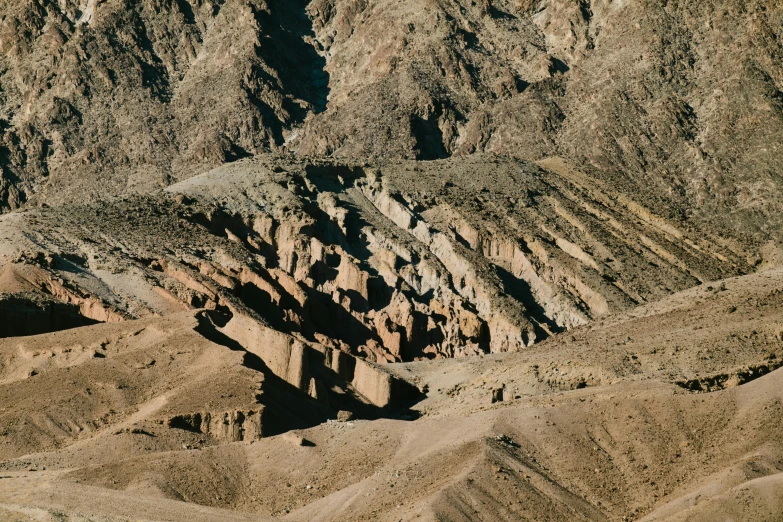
677, 104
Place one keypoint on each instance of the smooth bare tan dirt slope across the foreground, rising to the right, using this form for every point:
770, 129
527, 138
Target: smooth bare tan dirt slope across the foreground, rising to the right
597, 424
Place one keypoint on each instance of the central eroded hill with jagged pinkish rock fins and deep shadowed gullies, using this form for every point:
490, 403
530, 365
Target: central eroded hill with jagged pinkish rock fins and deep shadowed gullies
316, 263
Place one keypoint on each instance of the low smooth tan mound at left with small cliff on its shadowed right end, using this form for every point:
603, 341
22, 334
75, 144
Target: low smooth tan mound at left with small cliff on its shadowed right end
167, 379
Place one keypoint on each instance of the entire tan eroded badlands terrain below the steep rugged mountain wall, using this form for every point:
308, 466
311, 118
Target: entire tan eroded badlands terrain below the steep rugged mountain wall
520, 344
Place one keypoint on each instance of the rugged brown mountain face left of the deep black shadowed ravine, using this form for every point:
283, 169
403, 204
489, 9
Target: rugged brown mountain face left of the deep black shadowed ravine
106, 97
